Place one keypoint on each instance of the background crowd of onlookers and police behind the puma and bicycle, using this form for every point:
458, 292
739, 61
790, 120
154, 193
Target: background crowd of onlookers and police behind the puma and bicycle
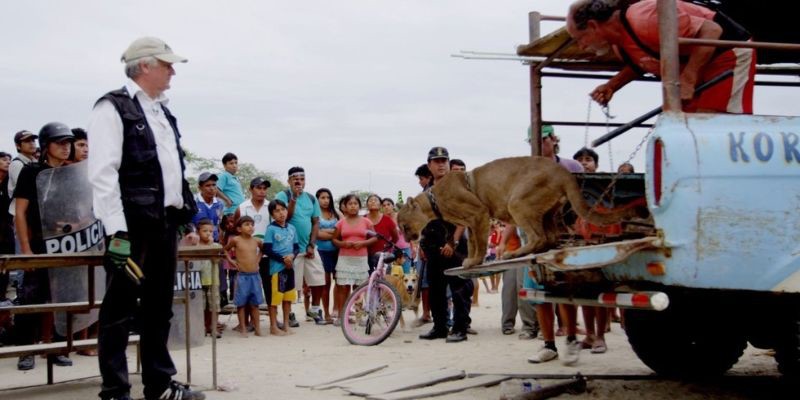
302, 246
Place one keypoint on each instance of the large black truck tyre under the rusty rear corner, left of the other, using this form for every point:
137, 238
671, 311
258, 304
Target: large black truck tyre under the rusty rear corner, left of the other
684, 342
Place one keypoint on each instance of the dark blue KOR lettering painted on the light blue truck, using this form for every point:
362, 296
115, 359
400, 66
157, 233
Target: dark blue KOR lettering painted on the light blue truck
763, 147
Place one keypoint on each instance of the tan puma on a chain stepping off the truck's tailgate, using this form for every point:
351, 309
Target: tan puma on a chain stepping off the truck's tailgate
524, 191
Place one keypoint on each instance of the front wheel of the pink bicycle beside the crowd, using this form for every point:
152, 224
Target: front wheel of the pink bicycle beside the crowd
368, 326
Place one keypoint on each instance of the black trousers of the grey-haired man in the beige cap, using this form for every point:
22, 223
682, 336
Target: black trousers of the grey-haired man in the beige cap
156, 251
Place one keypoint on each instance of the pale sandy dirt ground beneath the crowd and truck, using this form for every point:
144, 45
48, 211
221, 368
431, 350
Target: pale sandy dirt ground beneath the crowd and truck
270, 367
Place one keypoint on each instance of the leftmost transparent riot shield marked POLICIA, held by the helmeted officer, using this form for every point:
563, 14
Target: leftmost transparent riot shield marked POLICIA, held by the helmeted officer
69, 226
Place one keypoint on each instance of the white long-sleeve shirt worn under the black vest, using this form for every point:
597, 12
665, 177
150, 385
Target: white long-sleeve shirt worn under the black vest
105, 136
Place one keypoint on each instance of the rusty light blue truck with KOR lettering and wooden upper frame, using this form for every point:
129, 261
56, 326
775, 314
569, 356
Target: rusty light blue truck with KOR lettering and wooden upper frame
716, 265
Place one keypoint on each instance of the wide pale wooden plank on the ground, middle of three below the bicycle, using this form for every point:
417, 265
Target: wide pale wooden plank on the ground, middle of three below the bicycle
413, 380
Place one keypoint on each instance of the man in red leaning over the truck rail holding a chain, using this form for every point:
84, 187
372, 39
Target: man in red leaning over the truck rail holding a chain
632, 33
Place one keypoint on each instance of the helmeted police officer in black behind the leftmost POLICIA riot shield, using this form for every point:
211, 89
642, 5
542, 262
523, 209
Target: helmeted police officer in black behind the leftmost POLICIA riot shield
55, 139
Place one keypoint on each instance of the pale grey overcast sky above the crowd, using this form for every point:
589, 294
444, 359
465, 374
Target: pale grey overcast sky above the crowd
354, 91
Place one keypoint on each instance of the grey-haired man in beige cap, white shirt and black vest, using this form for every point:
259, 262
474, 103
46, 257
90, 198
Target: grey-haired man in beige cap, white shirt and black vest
140, 194
